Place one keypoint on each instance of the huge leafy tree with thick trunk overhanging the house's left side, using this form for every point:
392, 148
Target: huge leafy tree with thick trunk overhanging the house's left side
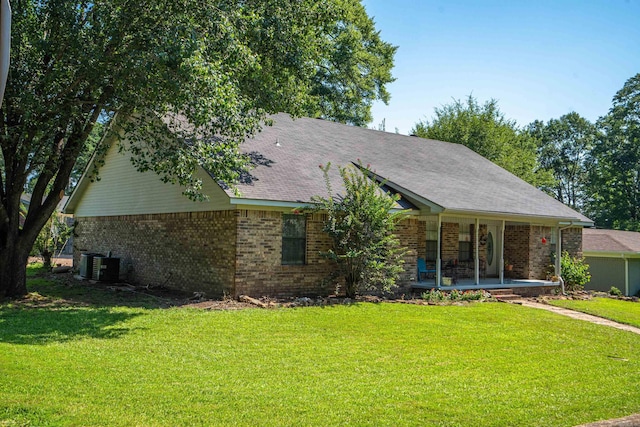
187, 81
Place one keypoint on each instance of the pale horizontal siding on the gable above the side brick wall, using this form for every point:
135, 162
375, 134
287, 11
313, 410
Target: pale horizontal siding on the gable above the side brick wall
122, 190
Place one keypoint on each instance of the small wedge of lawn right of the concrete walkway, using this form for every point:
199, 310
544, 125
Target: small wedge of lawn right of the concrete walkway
621, 311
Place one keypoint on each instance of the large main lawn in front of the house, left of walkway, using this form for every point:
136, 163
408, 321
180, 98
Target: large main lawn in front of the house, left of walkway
109, 360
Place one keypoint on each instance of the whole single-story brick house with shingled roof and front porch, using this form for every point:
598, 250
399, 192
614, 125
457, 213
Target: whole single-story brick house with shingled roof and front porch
467, 217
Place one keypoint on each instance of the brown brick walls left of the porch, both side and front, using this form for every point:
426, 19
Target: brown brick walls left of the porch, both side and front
228, 252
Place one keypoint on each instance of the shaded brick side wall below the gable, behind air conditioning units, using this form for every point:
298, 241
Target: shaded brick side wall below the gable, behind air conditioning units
187, 251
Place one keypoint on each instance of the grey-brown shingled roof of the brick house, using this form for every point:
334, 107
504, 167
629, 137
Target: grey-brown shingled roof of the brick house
444, 176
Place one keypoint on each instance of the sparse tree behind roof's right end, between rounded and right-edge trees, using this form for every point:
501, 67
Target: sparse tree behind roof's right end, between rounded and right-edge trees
563, 147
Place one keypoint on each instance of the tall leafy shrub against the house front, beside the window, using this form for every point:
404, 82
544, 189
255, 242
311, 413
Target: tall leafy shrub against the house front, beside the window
360, 223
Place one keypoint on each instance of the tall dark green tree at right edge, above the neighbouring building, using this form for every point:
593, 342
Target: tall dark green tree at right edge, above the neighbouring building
614, 164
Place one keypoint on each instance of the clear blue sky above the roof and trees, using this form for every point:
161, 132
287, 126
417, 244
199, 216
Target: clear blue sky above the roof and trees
539, 59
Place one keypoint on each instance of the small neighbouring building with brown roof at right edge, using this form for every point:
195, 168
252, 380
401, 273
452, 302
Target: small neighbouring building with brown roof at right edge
614, 260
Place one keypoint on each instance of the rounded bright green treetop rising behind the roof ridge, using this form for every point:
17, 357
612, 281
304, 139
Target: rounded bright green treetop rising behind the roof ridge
486, 130
